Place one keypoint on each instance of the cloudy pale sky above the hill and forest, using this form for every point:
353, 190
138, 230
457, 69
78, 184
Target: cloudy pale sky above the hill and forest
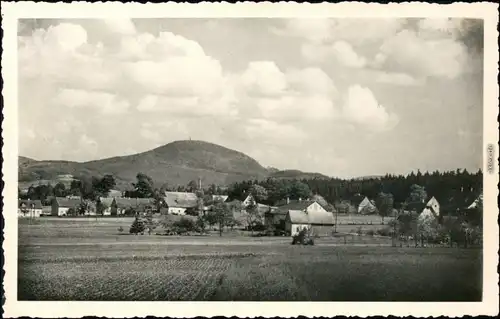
342, 97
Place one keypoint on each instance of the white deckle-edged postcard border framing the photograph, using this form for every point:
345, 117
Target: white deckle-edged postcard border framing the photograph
13, 11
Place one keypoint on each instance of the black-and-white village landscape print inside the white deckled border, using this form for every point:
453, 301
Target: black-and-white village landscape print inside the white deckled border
333, 159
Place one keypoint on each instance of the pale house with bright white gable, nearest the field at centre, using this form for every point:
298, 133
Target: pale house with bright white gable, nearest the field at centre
308, 214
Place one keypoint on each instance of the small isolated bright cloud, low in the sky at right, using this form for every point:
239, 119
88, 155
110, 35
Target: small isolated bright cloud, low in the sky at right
362, 108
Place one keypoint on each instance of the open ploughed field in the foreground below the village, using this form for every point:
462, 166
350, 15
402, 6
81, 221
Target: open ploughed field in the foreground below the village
88, 260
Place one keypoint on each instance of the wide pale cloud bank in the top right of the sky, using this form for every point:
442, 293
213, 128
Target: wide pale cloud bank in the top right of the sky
431, 48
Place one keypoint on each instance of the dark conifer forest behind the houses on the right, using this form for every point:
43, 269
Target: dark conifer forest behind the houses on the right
453, 189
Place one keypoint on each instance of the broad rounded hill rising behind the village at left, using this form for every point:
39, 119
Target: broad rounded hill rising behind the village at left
176, 163
